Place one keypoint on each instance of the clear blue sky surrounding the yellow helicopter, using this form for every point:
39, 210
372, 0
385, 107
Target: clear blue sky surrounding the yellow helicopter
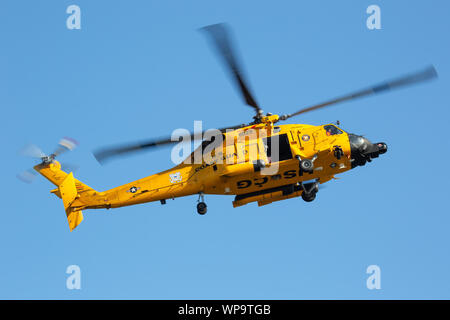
140, 69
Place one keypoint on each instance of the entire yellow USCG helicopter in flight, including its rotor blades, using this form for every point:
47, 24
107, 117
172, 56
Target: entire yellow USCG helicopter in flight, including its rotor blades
262, 161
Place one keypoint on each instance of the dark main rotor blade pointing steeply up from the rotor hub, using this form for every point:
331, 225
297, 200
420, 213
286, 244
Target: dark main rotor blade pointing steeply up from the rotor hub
222, 41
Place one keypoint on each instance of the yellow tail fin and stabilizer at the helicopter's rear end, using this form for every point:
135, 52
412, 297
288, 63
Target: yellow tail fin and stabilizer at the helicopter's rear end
69, 190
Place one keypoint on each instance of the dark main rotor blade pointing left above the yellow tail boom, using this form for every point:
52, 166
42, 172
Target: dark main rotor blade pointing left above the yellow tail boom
105, 154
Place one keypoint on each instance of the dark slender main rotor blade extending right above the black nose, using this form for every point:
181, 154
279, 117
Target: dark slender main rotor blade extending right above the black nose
424, 75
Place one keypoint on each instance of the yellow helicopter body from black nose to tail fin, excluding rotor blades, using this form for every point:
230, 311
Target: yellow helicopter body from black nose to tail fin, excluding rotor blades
260, 163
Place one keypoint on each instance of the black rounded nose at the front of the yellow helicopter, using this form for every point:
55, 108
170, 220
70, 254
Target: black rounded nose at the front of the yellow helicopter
363, 151
